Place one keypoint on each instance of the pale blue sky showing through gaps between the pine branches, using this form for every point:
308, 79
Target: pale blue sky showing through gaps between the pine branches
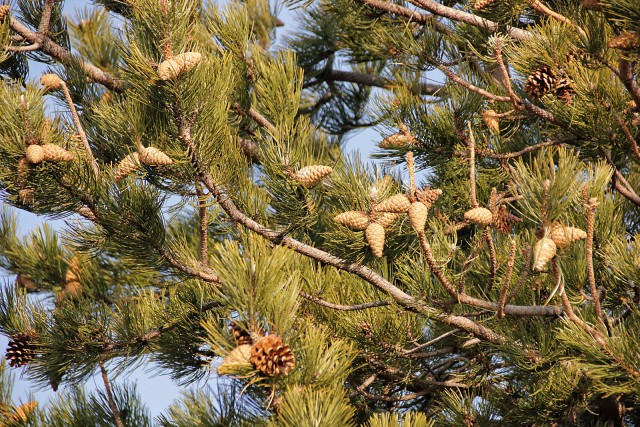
158, 392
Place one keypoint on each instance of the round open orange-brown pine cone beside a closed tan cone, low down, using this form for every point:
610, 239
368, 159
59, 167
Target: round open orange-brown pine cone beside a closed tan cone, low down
272, 357
